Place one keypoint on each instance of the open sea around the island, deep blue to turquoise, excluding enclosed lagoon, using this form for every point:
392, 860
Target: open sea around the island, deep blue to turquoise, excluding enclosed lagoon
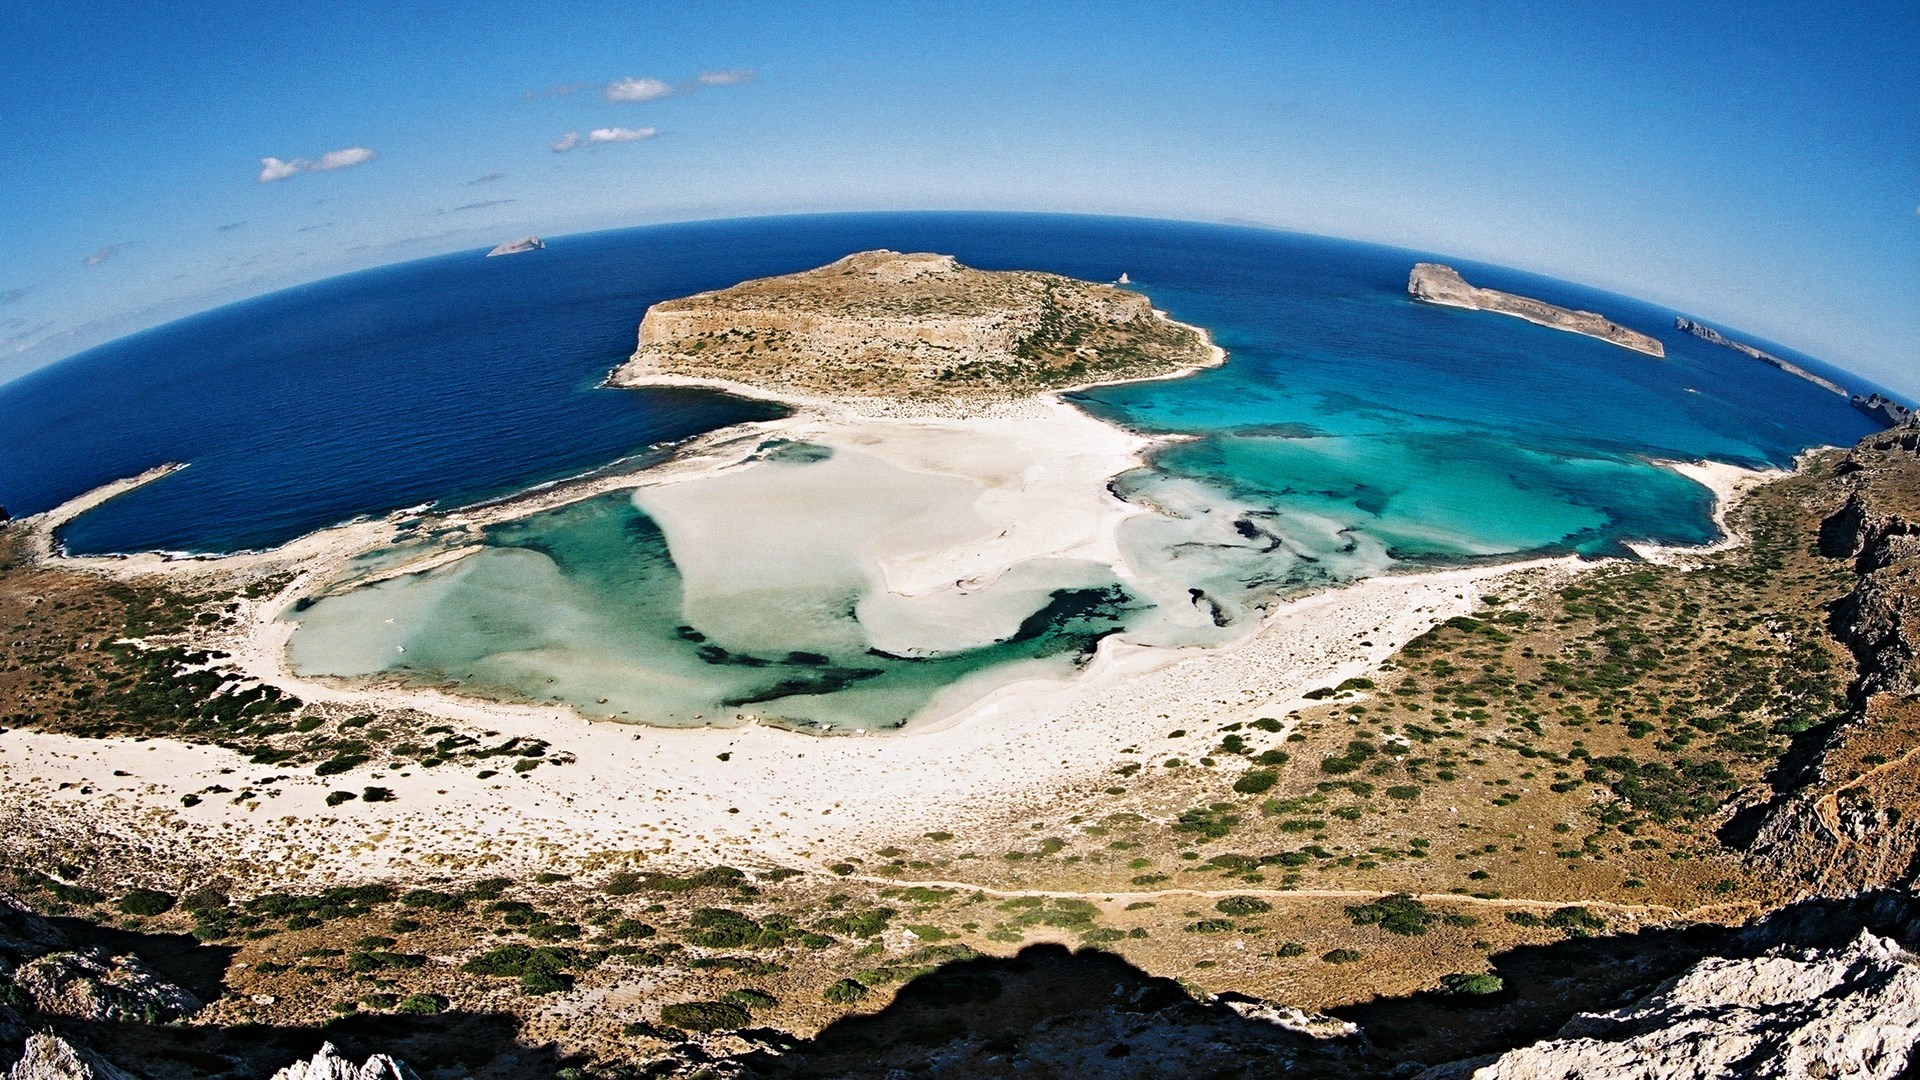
1433, 431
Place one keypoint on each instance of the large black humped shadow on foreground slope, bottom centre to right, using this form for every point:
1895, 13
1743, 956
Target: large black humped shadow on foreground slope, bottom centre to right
1051, 1012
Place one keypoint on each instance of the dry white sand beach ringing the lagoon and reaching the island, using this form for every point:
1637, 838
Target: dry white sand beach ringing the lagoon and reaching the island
761, 793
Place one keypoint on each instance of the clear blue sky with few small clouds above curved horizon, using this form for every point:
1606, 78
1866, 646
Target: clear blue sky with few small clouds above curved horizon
1756, 164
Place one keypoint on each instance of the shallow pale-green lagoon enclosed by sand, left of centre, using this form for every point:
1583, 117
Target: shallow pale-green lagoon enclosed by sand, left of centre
585, 606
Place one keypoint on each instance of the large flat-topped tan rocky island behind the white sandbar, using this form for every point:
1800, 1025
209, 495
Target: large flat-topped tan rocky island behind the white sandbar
915, 328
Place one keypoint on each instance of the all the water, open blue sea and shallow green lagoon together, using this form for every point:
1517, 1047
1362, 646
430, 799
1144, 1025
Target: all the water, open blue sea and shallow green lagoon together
1351, 433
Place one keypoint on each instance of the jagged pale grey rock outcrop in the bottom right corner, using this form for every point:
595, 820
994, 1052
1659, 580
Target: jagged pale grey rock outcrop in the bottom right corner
1812, 1014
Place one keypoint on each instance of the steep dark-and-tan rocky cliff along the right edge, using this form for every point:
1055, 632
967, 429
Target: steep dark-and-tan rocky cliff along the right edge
1852, 818
